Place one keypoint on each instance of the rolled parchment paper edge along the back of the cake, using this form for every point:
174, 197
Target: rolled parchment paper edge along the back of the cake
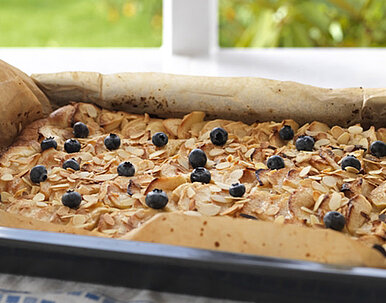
246, 99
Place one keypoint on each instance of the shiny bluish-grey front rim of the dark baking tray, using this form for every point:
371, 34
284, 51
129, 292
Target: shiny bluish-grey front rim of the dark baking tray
79, 245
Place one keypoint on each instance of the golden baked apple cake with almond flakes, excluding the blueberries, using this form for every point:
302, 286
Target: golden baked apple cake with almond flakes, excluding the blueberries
311, 184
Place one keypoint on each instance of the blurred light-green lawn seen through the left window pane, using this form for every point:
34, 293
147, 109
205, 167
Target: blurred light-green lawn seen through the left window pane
84, 23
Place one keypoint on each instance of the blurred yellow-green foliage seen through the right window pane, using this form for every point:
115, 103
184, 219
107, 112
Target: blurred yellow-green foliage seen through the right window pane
302, 23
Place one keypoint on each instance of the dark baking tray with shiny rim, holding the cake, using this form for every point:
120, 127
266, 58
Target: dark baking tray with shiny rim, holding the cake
184, 270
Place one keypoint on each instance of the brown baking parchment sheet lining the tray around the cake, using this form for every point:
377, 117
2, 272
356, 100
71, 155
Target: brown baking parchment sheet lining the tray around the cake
245, 99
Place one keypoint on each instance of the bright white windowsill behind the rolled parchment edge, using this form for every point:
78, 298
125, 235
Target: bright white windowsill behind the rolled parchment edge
326, 67
